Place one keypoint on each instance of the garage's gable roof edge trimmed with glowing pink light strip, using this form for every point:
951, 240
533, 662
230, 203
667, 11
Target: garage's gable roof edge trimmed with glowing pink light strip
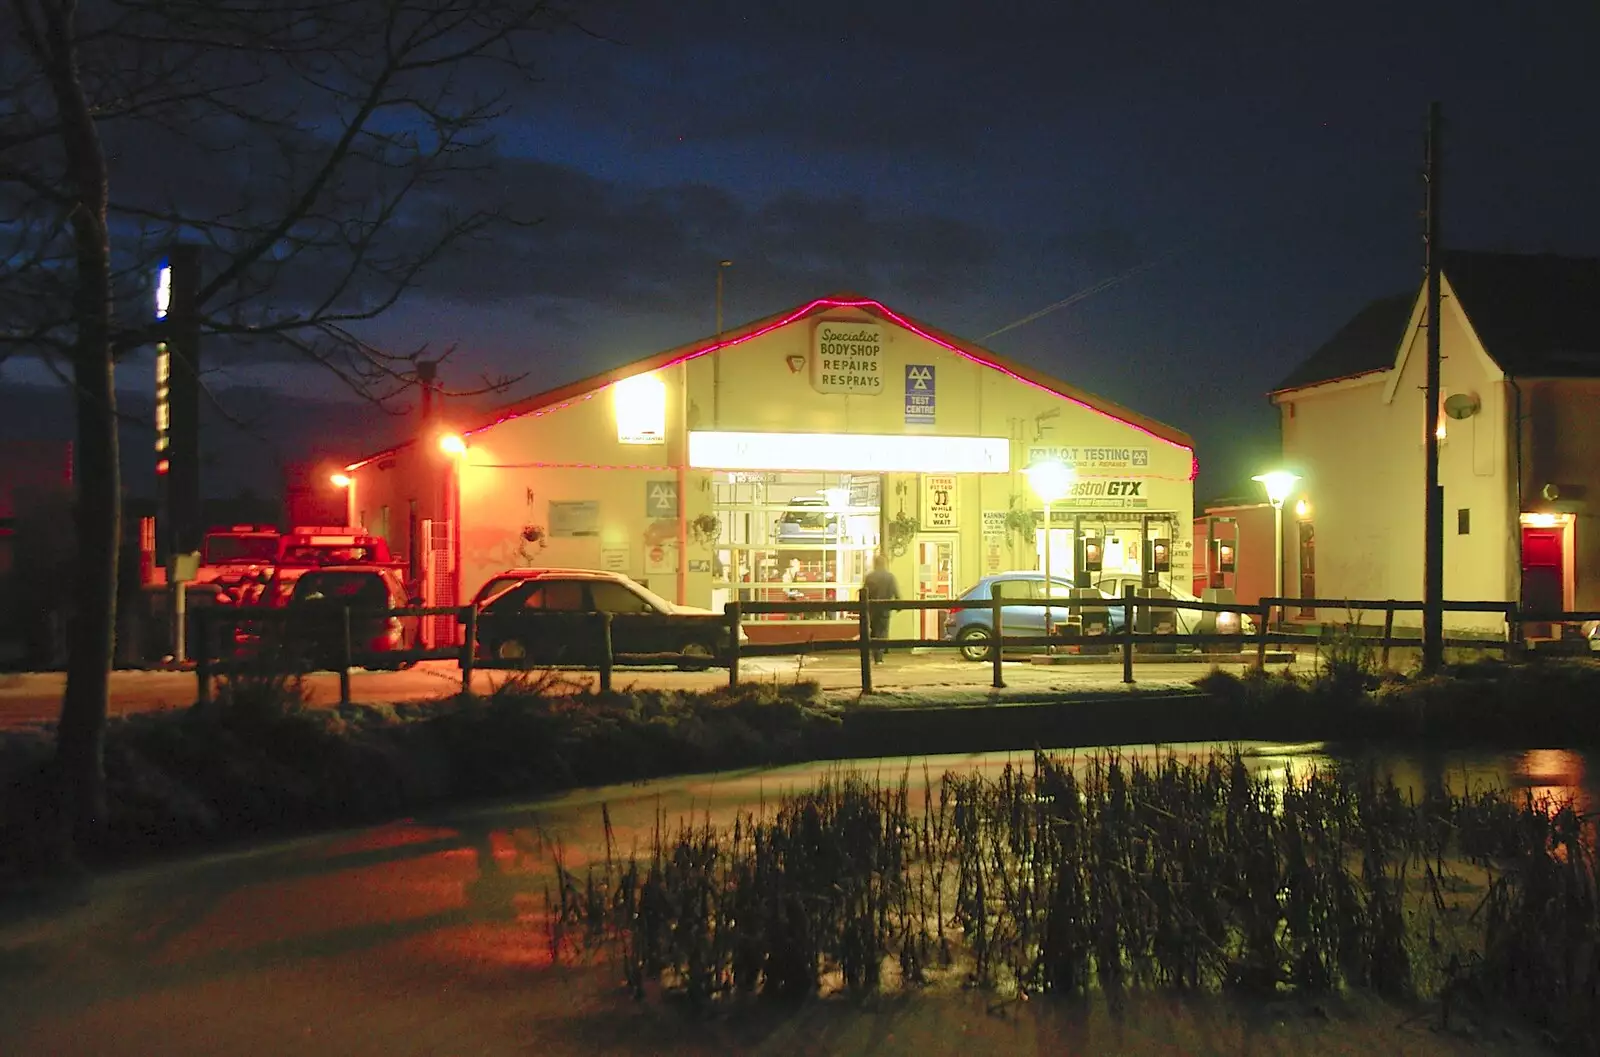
556, 399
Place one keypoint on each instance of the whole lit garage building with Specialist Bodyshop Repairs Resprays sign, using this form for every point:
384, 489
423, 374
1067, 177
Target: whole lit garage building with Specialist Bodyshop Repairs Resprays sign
774, 461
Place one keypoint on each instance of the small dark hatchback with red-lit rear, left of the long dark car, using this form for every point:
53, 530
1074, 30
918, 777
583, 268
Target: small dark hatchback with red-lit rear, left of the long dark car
310, 628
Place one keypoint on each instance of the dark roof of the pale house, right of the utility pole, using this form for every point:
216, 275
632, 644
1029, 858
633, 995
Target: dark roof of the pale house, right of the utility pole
1538, 316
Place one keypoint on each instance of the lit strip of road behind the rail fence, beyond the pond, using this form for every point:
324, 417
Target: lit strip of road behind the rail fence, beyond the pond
36, 698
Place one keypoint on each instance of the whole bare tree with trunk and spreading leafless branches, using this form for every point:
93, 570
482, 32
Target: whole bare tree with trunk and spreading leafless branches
319, 153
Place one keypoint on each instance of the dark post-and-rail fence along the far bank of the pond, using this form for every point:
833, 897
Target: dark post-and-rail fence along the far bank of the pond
1087, 628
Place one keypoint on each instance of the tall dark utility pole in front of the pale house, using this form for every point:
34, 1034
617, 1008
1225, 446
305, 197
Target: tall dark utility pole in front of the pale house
1434, 509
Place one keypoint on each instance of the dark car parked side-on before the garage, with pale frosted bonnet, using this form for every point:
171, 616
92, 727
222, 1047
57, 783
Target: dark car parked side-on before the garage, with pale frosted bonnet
553, 620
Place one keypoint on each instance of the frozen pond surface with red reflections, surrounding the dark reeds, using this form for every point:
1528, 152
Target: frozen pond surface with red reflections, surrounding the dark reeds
426, 936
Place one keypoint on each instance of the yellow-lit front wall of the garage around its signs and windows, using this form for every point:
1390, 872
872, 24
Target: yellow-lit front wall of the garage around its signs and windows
572, 453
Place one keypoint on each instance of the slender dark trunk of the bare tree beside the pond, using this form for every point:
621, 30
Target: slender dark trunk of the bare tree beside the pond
81, 736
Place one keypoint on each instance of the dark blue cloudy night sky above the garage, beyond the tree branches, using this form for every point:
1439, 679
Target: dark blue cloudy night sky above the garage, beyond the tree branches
1247, 174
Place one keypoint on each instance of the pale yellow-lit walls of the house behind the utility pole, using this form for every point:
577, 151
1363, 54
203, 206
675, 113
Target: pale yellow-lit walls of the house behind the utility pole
1362, 460
